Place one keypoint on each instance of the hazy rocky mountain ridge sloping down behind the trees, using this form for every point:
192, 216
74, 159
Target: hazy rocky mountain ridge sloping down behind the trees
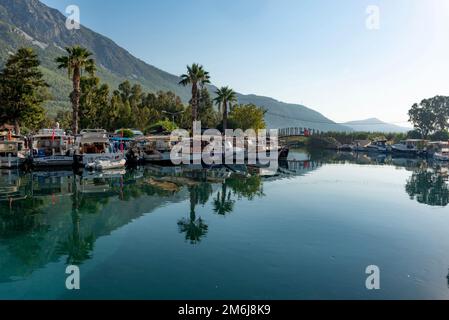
32, 23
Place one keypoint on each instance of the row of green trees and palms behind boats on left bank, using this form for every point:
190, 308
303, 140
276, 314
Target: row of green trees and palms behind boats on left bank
23, 92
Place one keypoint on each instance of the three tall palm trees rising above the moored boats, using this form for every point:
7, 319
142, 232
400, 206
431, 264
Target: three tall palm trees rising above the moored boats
79, 60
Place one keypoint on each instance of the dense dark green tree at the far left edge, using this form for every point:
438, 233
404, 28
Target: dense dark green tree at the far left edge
22, 90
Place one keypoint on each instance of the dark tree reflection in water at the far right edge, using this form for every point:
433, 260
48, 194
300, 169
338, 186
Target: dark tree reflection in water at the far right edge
428, 186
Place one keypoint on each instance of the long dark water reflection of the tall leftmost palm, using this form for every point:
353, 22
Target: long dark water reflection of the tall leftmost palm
76, 247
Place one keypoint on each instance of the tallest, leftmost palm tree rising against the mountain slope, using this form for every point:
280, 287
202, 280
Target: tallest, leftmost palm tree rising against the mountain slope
76, 60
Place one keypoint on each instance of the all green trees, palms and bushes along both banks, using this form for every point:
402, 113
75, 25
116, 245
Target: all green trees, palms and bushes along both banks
95, 105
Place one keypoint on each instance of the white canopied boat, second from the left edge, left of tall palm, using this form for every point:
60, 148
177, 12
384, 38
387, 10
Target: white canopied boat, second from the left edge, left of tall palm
52, 147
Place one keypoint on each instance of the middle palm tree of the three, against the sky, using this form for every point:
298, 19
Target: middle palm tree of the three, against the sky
197, 77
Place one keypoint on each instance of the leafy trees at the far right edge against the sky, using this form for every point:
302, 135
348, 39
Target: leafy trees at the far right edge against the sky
430, 118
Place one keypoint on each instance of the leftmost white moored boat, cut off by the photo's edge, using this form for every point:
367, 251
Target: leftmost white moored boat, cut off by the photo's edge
13, 153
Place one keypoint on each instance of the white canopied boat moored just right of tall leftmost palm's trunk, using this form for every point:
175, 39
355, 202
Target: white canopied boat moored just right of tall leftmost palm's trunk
93, 146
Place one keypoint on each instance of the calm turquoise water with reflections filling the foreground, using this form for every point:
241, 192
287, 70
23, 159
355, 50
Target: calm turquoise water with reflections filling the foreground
306, 232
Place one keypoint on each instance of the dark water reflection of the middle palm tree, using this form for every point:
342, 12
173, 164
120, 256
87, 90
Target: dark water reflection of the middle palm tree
194, 228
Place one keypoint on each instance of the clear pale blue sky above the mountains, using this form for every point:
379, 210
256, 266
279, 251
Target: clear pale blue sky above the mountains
316, 52
